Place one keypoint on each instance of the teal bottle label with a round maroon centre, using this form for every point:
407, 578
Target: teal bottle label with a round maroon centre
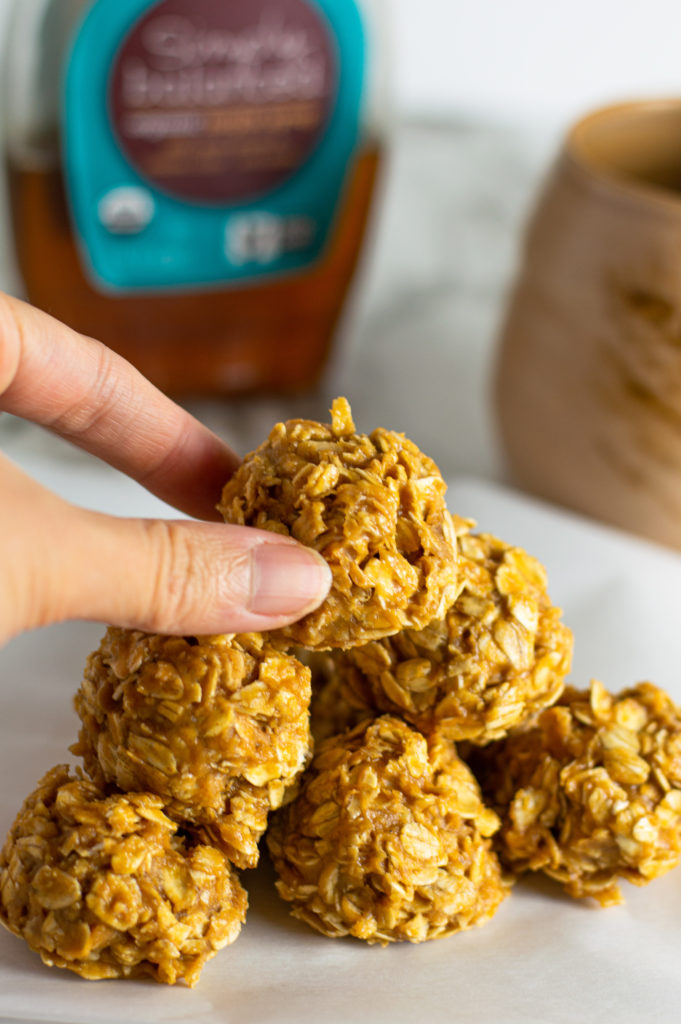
207, 142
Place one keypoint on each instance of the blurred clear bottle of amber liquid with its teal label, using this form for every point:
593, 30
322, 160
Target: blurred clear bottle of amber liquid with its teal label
191, 181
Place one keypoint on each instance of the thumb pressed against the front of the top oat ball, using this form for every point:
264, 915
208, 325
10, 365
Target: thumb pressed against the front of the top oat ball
176, 577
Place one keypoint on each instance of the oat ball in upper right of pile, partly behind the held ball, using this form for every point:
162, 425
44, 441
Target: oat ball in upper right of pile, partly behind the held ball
498, 656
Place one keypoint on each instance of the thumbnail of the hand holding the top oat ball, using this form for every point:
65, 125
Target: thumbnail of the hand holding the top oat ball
287, 580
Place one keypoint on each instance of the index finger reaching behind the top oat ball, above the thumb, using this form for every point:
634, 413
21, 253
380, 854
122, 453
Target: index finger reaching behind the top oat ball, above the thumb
87, 394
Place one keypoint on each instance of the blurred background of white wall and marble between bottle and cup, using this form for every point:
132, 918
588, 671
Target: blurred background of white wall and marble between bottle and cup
482, 95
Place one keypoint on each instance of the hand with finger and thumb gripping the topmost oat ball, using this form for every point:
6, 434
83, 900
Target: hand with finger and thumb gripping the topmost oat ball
59, 562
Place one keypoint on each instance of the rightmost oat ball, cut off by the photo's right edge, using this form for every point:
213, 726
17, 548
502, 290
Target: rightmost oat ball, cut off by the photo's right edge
592, 792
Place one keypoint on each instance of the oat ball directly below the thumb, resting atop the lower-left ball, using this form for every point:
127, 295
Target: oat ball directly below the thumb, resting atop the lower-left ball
218, 727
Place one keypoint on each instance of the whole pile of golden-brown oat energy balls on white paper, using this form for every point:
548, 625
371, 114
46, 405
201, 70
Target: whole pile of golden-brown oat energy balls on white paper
432, 636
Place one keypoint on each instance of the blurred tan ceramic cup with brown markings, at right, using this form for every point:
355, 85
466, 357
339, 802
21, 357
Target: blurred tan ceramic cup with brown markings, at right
588, 385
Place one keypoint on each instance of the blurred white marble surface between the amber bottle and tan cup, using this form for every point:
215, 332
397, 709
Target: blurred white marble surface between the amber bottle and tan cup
418, 345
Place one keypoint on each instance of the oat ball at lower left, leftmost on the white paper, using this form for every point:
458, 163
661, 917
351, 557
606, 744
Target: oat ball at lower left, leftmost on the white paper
108, 887
